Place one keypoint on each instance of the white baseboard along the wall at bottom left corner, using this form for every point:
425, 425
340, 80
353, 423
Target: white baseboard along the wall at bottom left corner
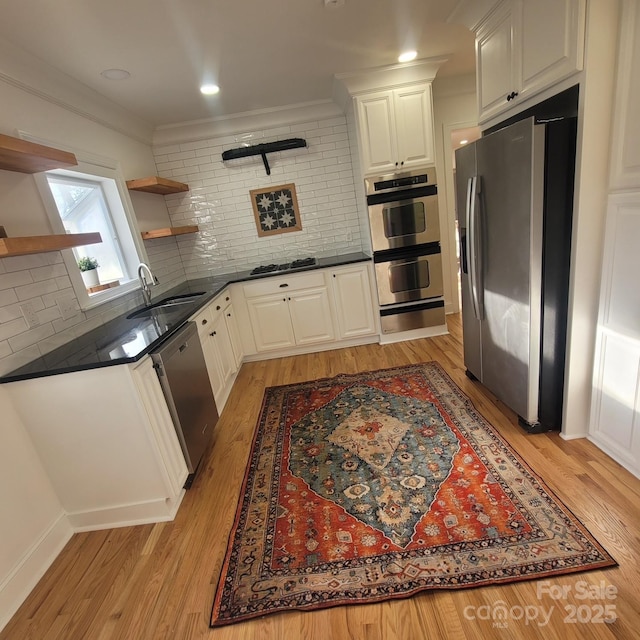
15, 588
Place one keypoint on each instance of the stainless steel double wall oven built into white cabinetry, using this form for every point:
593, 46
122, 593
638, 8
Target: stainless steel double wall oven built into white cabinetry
405, 237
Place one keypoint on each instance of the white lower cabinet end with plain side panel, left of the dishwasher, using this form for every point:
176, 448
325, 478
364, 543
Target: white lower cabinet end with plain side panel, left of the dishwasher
107, 442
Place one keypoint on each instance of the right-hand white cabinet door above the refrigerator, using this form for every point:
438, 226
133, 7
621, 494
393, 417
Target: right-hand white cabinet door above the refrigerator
552, 35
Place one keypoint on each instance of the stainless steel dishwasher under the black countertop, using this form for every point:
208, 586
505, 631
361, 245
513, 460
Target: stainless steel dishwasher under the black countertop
182, 371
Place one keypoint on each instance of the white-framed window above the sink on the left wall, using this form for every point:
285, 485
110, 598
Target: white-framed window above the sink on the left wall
93, 197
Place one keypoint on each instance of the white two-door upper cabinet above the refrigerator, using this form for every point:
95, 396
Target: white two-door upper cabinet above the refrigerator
524, 47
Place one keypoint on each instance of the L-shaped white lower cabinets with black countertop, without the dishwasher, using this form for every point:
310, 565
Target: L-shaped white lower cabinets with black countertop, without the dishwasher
102, 427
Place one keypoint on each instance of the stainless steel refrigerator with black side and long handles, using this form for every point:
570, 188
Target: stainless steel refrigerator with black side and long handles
514, 191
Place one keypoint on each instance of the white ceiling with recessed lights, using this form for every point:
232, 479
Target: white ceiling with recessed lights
263, 54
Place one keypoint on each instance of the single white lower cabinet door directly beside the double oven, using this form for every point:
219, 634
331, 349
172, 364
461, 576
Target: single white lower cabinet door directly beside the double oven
352, 295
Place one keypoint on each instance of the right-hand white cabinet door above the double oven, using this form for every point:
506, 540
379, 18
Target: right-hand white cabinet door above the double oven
414, 125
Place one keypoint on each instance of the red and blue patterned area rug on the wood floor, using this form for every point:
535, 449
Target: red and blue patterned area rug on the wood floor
379, 485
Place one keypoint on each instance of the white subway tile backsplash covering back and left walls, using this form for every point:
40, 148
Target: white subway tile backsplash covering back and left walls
218, 201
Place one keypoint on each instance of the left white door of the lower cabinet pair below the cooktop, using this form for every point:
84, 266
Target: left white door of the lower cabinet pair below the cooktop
271, 322
